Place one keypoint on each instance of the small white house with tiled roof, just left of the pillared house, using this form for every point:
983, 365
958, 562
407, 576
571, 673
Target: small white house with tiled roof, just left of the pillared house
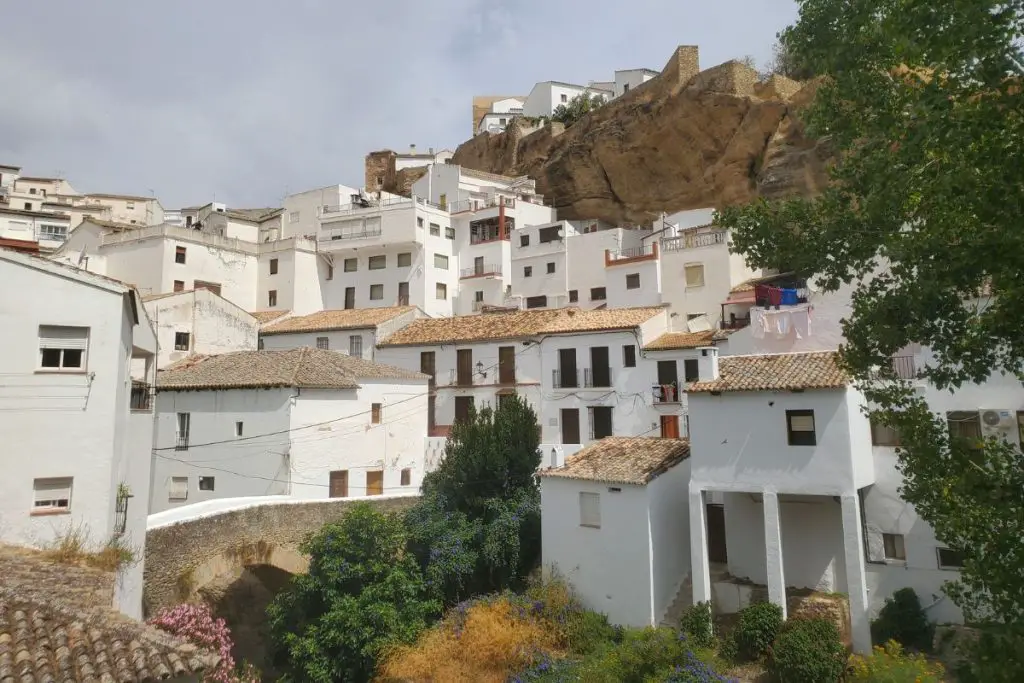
616, 525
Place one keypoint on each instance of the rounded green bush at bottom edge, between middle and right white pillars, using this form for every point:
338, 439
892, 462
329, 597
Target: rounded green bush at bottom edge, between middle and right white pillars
808, 652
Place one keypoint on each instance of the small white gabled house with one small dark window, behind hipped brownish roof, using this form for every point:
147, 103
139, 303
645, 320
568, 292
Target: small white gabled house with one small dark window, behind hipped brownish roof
199, 322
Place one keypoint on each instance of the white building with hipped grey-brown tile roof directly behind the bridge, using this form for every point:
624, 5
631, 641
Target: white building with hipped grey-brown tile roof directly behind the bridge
306, 423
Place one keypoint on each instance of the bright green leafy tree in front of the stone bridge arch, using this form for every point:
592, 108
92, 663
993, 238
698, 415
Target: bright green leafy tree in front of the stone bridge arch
363, 592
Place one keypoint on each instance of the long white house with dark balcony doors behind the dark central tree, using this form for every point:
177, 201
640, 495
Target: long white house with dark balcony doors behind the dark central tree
582, 371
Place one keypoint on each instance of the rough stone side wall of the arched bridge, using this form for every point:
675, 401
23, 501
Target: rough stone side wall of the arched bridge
177, 552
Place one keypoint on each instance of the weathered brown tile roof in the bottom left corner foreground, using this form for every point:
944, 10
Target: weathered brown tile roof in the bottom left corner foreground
57, 625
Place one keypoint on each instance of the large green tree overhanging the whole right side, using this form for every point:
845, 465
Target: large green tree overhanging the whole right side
922, 107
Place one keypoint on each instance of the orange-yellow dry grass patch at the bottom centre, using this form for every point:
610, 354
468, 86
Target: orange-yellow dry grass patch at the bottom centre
487, 646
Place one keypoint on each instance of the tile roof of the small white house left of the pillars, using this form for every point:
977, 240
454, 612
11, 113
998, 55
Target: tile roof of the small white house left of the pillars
634, 460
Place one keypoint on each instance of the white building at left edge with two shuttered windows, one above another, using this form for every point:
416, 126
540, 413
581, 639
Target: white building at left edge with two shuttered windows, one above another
79, 431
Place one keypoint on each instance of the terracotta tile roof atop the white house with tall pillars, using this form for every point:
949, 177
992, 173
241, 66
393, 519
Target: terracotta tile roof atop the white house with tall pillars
777, 372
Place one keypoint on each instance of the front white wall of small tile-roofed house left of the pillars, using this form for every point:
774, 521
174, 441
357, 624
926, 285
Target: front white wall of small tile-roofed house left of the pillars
610, 568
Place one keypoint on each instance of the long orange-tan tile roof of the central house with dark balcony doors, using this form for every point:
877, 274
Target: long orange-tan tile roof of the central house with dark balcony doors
491, 327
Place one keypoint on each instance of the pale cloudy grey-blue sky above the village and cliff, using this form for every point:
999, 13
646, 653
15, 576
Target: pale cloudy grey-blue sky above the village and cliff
246, 102
